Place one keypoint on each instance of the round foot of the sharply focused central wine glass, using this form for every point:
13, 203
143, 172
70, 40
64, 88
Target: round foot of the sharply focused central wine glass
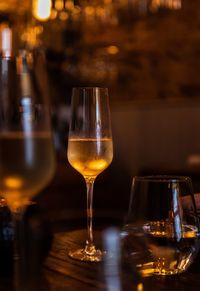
81, 255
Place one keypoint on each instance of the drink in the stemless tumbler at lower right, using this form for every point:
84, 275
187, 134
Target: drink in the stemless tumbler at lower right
161, 250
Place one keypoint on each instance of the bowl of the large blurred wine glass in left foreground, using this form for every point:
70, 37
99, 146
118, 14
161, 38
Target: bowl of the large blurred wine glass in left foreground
26, 149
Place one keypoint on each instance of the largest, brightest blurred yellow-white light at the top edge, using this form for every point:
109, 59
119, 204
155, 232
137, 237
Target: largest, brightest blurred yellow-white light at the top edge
42, 9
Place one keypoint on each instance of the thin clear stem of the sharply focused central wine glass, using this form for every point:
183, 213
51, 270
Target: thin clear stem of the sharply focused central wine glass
90, 186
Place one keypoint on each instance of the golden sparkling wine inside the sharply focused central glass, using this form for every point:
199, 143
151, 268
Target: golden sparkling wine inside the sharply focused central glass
90, 156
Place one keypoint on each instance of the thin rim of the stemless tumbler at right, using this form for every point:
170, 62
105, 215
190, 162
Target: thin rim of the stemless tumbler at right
162, 178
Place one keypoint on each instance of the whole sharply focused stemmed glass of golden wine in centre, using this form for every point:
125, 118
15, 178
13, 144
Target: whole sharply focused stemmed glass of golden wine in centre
90, 150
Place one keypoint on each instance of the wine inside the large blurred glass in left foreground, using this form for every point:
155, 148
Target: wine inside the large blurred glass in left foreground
26, 165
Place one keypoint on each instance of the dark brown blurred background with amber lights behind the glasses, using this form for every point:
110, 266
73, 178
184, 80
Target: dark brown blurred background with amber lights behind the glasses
147, 52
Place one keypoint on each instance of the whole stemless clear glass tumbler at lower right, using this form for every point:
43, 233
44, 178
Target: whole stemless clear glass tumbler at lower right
161, 233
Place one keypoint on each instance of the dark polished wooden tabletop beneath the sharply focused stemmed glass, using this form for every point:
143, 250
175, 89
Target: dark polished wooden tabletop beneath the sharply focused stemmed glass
67, 274
